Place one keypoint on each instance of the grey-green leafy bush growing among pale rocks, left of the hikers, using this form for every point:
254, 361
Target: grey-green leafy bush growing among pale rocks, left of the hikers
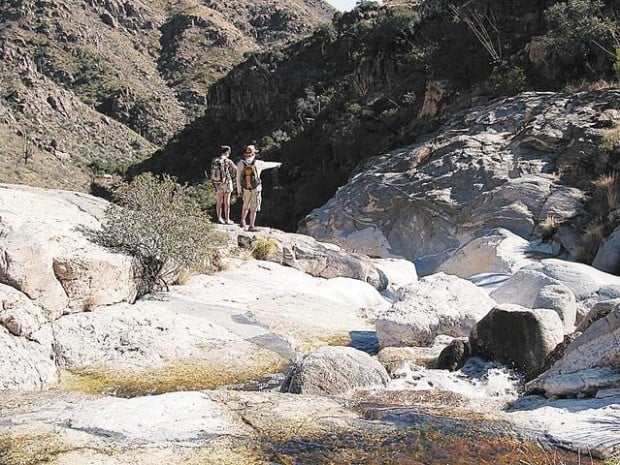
161, 224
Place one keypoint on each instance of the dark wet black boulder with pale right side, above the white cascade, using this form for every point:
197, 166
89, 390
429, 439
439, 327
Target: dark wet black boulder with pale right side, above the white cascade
518, 336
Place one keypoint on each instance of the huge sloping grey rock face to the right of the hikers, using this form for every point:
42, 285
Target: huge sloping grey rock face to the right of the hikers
484, 169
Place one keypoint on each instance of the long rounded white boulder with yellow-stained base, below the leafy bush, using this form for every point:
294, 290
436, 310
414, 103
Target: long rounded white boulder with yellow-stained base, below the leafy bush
150, 348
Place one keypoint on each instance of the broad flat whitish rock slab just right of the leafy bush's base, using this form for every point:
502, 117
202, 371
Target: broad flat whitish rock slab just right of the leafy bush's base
305, 311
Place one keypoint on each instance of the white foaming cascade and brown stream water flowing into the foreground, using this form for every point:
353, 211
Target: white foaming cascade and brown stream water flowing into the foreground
431, 417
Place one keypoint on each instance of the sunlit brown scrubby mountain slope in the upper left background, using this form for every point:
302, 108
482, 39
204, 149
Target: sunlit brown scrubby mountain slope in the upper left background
145, 65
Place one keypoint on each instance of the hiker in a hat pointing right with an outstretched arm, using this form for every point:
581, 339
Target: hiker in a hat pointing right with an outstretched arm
249, 184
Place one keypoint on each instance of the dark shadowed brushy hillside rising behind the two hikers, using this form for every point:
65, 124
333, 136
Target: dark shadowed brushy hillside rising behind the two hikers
375, 80
